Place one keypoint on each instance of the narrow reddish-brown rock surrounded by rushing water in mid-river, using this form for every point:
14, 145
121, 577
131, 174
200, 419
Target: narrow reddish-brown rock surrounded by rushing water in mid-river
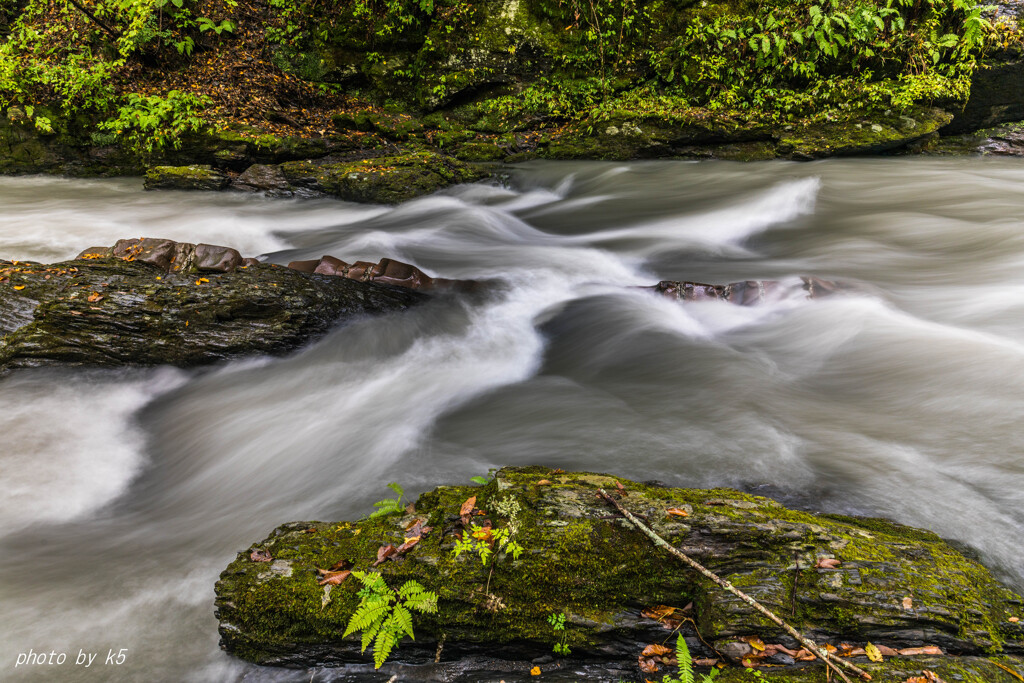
750, 292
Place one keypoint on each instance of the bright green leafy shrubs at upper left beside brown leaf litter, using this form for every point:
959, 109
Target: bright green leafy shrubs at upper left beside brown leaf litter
73, 57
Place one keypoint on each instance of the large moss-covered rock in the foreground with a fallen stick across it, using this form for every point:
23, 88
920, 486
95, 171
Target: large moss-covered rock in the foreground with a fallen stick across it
890, 585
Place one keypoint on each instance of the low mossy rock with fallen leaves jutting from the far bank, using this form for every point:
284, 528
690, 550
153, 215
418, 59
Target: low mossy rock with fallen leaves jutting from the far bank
389, 180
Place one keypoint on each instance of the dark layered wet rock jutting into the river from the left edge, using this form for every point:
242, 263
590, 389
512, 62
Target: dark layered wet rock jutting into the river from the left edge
158, 302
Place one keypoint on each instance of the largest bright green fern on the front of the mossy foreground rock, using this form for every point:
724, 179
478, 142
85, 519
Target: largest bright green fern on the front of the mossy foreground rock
385, 615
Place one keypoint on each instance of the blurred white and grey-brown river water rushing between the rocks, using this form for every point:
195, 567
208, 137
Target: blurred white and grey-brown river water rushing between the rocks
126, 492
